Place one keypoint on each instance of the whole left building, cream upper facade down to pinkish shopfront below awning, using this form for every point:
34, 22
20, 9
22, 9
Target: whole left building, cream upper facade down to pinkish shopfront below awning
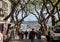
5, 9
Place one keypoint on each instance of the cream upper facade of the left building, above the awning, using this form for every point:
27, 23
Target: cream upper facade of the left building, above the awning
5, 9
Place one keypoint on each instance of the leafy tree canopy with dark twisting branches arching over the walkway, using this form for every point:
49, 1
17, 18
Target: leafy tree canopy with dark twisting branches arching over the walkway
43, 10
